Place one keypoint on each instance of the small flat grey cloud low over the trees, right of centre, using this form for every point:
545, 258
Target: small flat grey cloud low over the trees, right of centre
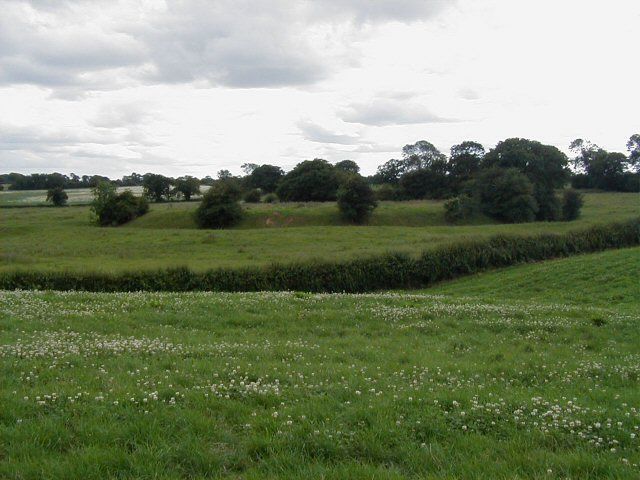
384, 112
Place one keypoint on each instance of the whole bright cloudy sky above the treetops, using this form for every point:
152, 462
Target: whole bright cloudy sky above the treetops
189, 87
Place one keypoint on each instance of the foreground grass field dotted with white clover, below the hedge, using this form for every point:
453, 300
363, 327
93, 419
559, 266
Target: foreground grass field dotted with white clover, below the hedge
486, 377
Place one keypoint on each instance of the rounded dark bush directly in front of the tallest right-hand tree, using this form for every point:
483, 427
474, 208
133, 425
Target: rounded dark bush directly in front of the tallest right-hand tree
505, 194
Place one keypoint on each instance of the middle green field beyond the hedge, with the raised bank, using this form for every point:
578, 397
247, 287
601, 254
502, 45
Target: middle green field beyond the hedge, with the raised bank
63, 239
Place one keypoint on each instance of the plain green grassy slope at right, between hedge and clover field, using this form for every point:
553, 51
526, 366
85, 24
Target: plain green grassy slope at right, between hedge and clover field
608, 279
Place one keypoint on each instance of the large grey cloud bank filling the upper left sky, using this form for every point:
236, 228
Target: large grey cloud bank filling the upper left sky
74, 47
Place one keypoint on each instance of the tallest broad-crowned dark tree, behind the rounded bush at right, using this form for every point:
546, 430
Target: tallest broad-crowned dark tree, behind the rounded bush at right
545, 166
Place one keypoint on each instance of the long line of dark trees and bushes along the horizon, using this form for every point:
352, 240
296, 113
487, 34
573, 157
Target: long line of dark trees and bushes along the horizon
515, 181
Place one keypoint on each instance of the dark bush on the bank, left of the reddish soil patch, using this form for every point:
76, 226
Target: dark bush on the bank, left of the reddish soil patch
219, 207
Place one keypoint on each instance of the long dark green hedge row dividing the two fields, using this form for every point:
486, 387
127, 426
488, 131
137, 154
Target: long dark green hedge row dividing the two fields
361, 275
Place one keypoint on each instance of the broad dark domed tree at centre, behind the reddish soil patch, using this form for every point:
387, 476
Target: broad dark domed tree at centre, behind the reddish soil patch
310, 181
